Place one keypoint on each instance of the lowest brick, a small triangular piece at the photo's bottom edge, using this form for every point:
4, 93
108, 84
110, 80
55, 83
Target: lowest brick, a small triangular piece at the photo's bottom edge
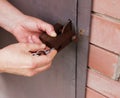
92, 94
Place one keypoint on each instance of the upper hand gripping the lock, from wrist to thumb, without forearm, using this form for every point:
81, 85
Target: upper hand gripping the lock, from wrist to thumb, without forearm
28, 29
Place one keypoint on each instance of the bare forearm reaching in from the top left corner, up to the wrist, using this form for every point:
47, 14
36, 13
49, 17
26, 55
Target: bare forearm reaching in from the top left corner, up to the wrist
9, 15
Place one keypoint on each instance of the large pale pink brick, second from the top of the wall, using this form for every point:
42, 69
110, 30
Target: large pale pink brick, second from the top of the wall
105, 33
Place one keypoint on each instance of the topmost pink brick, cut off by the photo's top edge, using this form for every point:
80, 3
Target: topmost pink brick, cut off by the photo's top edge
109, 7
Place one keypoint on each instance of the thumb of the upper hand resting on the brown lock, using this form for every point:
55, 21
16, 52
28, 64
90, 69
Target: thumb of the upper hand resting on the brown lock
48, 28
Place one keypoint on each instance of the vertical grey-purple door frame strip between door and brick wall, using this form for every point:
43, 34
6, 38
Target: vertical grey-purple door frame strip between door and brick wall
83, 25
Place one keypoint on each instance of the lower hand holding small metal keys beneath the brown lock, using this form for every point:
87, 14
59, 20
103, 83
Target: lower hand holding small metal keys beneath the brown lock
17, 59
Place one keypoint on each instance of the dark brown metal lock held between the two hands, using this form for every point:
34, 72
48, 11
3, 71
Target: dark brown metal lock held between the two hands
65, 35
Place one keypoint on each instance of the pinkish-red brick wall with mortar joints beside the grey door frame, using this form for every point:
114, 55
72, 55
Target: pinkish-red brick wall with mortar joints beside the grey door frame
104, 55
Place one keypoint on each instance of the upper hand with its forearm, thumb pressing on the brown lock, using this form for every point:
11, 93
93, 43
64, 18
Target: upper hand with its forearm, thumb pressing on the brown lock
24, 28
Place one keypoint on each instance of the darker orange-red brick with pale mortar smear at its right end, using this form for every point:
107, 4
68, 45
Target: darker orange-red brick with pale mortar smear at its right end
102, 60
